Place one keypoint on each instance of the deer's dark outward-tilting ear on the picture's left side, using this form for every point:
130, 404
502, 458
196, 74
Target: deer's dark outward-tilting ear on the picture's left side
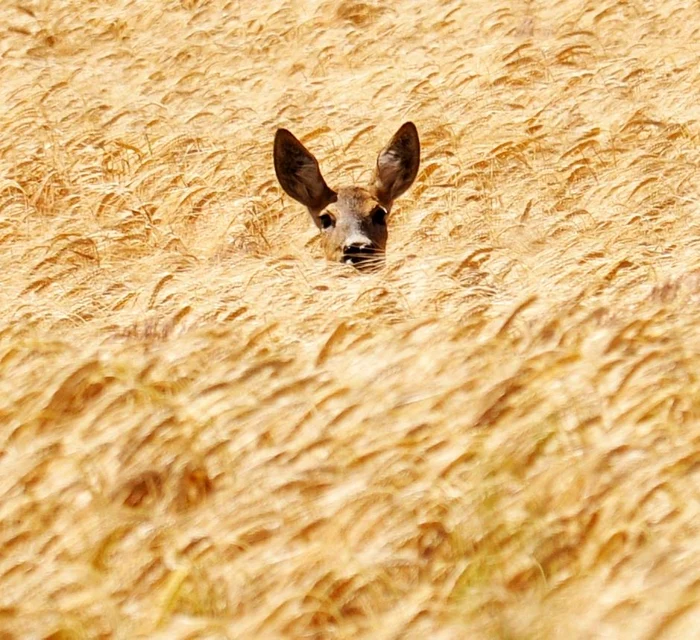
299, 174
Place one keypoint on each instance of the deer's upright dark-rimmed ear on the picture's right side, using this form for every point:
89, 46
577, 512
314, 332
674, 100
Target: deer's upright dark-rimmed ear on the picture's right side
397, 165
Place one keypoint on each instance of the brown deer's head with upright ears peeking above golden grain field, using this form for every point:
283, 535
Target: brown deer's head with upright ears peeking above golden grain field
352, 220
